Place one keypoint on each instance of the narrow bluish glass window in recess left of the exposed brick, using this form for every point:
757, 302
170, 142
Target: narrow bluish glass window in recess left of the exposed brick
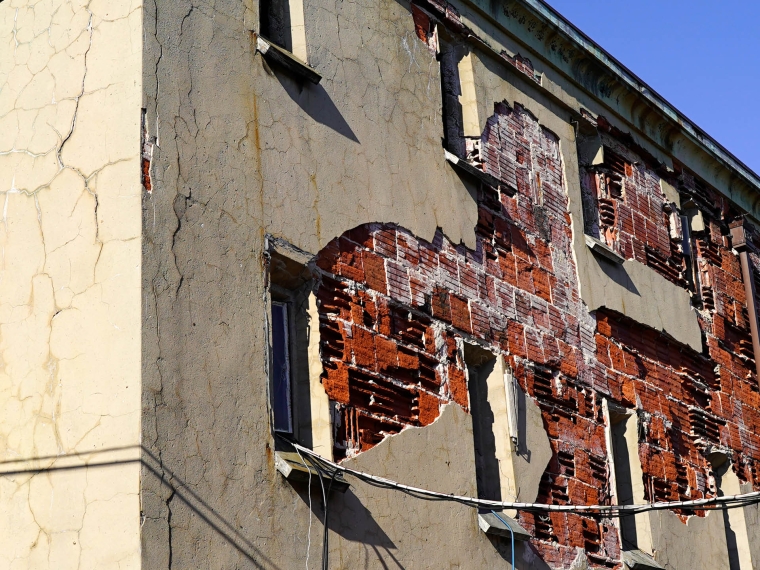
282, 402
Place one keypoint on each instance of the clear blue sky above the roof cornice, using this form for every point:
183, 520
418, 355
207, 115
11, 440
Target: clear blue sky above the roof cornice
703, 56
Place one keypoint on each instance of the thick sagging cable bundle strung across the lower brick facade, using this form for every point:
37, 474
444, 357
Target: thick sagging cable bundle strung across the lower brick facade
715, 503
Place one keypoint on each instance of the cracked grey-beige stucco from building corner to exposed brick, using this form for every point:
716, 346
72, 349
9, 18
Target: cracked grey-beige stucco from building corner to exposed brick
240, 151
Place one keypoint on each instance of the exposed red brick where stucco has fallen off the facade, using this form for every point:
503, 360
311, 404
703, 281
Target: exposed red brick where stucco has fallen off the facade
394, 310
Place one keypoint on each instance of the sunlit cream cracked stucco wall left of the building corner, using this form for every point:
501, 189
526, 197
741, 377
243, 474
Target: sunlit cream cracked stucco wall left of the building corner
69, 282
